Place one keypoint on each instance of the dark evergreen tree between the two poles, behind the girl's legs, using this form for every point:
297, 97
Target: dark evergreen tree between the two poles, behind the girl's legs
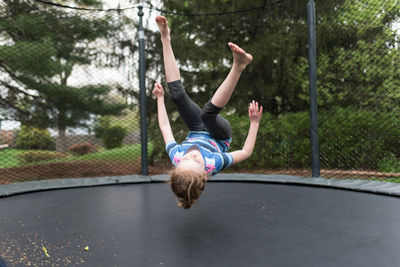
275, 32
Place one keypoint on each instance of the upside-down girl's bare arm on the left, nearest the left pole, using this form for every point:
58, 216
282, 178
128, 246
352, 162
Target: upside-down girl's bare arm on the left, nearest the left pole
163, 121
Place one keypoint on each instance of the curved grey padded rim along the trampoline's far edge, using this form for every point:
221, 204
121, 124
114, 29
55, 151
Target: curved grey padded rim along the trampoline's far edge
377, 187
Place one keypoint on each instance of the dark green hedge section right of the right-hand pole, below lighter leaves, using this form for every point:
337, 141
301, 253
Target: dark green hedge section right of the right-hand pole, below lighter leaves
357, 139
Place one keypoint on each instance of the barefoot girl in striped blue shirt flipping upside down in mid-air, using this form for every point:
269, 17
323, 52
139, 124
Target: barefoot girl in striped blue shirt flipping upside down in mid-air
205, 150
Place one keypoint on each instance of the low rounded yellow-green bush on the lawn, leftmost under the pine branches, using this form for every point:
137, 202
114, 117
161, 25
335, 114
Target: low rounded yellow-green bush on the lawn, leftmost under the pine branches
33, 138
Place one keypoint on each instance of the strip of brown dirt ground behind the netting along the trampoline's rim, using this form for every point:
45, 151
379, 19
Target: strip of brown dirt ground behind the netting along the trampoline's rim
80, 169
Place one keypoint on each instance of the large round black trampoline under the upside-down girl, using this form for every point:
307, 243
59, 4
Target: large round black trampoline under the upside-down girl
240, 220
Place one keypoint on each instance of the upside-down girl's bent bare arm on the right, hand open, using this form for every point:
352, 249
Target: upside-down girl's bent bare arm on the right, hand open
255, 114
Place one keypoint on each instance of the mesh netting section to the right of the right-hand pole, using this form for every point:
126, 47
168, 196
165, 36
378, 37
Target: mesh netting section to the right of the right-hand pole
358, 85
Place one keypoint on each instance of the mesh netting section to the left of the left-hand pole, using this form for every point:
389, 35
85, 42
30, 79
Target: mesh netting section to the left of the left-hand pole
68, 83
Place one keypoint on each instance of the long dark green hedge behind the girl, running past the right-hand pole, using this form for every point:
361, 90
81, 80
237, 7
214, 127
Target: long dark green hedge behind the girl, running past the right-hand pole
349, 138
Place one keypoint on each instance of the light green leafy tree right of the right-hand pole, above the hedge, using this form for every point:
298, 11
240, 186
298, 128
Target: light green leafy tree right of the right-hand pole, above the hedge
359, 56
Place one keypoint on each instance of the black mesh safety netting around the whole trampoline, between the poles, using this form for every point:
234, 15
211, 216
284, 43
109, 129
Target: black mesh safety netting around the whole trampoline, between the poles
69, 86
